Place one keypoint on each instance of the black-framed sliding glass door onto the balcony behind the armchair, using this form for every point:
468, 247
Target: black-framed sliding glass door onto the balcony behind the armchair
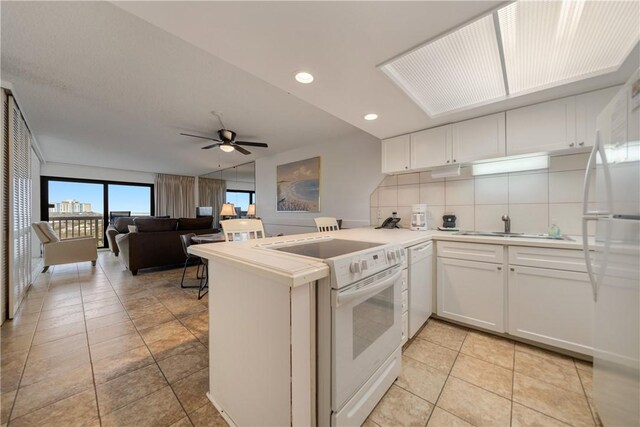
81, 208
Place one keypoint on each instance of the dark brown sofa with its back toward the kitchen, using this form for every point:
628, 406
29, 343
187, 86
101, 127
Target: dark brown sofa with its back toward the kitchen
156, 241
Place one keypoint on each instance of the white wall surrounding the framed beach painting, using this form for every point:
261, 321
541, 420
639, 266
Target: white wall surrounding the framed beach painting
350, 171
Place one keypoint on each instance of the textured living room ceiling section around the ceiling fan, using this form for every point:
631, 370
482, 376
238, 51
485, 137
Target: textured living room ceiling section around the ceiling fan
101, 87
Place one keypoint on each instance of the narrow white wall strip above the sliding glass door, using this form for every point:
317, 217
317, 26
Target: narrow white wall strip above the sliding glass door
92, 172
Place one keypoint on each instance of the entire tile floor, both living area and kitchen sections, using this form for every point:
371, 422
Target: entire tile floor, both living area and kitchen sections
98, 346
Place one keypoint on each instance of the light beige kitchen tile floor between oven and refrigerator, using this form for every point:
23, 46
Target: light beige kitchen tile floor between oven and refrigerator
453, 376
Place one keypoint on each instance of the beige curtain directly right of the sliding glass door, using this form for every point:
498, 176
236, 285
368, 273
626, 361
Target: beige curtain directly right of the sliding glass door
175, 196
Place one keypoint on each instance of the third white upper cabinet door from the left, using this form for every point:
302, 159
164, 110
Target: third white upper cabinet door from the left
477, 139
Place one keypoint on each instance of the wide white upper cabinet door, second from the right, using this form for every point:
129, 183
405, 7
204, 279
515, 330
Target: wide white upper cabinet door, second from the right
548, 126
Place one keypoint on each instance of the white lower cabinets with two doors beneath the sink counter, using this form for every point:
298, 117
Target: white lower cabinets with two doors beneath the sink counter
545, 297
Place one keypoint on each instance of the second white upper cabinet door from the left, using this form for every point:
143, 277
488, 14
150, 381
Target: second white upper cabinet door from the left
431, 147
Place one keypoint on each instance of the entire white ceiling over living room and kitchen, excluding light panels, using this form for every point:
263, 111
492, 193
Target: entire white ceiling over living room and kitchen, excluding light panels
113, 85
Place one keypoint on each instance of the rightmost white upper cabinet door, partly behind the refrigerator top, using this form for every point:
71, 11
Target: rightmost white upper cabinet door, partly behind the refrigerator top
588, 107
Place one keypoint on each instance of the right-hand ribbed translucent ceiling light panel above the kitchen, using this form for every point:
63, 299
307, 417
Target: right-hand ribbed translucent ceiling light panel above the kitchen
550, 43
